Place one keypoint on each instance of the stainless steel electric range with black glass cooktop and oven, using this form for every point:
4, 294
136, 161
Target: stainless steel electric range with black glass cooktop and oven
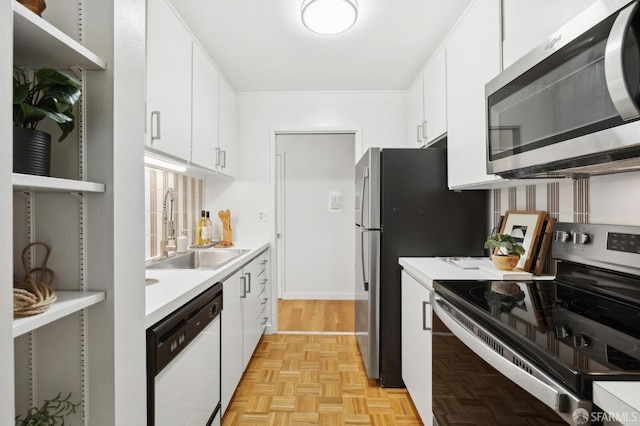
534, 349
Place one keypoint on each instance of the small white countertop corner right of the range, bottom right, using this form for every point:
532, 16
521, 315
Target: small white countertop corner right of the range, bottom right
620, 400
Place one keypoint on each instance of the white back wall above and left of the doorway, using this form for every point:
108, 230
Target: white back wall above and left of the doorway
378, 117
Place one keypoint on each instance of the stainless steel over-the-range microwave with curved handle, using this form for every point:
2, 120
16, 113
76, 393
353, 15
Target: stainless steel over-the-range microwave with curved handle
571, 105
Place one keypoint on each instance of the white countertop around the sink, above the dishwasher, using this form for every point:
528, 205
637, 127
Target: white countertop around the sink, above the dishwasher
175, 287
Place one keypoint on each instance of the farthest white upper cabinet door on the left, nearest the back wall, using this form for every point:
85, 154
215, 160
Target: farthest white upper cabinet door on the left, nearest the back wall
228, 130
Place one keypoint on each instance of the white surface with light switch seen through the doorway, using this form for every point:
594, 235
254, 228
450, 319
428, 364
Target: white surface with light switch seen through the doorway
315, 210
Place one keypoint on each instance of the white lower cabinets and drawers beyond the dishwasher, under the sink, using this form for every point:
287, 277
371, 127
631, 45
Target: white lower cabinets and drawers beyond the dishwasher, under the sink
243, 320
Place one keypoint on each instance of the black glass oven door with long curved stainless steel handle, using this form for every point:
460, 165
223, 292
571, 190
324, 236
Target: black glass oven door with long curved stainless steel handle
473, 380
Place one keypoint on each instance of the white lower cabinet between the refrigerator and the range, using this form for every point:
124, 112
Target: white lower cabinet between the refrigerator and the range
416, 344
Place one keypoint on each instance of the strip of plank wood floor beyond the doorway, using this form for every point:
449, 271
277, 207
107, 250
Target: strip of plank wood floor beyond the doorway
316, 315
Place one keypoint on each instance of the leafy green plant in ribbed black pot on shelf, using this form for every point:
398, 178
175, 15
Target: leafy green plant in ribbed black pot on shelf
45, 93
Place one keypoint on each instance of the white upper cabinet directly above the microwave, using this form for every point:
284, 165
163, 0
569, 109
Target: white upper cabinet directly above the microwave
529, 23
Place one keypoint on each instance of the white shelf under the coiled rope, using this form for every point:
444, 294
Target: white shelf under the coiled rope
67, 303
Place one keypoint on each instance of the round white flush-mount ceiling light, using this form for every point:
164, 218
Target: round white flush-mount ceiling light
329, 16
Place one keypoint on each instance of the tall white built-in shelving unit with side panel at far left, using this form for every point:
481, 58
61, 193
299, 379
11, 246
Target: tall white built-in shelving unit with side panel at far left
96, 234
